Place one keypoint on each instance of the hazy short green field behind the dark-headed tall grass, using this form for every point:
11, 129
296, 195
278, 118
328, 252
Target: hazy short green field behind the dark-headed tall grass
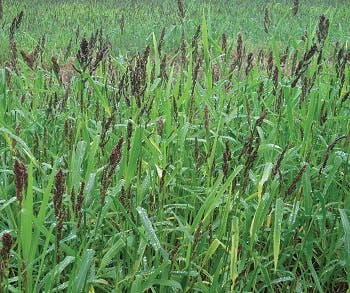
60, 20
